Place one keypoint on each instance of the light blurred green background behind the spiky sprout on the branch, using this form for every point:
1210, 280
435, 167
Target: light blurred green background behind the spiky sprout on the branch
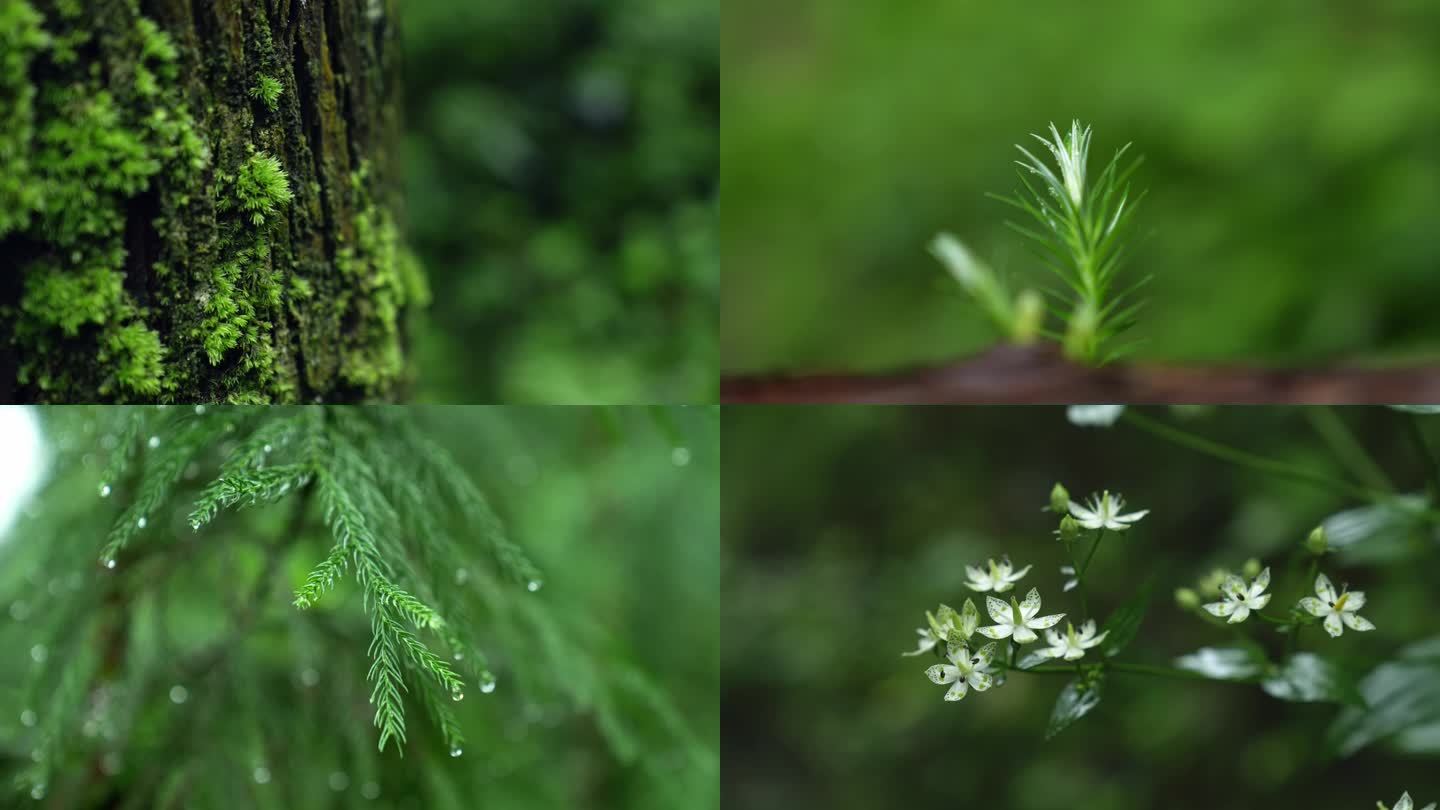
1291, 159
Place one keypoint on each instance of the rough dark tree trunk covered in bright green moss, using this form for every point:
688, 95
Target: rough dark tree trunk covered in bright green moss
197, 201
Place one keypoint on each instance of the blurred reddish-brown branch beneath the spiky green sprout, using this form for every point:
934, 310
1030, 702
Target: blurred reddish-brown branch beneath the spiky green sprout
1040, 375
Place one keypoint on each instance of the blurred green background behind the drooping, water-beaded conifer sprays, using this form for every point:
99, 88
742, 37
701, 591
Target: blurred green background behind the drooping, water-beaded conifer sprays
613, 706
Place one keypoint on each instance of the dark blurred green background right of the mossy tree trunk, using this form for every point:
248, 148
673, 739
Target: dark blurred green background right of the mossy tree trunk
561, 187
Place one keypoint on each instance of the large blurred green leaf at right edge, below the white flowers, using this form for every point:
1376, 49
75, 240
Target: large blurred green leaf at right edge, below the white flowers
1402, 695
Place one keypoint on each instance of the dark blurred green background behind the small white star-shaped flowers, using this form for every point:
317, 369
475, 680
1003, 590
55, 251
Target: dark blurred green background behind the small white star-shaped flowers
843, 525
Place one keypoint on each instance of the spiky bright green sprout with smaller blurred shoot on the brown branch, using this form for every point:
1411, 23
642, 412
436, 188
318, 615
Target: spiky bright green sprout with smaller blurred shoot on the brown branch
1082, 226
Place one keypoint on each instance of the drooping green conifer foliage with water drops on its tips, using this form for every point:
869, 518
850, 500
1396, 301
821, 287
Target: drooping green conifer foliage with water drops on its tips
405, 589
